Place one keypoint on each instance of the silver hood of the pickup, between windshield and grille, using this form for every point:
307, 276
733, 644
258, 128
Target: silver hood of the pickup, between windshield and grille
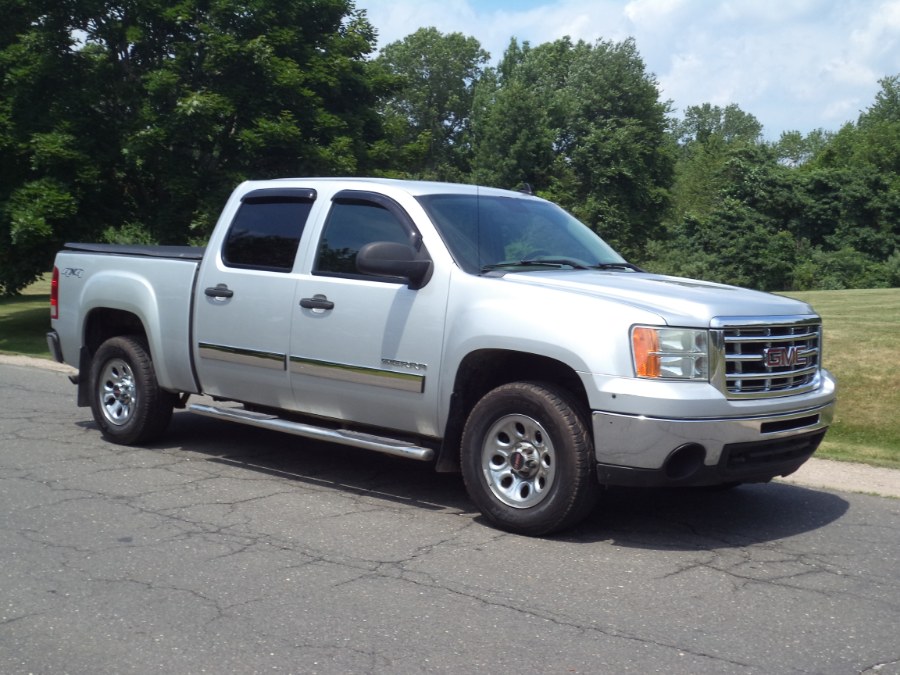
678, 301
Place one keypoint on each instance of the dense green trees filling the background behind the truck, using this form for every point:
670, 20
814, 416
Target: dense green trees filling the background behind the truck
131, 120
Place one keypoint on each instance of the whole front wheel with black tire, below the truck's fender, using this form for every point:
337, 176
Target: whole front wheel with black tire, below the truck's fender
528, 459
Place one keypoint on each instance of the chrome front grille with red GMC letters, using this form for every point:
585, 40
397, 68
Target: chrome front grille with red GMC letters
778, 359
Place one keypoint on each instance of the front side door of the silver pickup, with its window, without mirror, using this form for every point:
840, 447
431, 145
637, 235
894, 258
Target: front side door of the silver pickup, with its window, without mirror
365, 348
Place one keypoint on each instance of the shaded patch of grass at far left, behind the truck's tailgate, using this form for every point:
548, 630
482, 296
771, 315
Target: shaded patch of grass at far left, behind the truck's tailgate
25, 320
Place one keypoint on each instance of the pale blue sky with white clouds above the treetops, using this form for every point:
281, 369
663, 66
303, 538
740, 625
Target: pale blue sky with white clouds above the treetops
794, 64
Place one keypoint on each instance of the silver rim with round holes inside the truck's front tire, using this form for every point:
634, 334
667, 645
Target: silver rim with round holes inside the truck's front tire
518, 461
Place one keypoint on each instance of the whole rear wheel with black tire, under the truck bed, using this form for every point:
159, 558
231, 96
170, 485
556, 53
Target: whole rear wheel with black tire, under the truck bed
126, 401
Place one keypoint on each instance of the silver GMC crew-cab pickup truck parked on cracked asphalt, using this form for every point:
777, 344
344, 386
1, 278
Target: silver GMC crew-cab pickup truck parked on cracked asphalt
483, 330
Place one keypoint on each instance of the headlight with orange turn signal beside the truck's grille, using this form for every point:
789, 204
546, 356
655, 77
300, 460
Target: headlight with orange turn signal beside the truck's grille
670, 353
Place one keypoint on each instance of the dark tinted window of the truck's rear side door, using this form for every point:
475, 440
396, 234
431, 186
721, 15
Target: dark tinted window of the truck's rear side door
265, 234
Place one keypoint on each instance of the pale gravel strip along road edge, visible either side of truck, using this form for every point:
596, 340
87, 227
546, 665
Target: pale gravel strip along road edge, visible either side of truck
817, 473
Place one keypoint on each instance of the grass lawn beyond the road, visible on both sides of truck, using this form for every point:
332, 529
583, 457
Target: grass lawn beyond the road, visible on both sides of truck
862, 348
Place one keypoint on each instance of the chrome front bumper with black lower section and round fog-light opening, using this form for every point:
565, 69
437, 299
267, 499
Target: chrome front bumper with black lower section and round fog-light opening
644, 451
